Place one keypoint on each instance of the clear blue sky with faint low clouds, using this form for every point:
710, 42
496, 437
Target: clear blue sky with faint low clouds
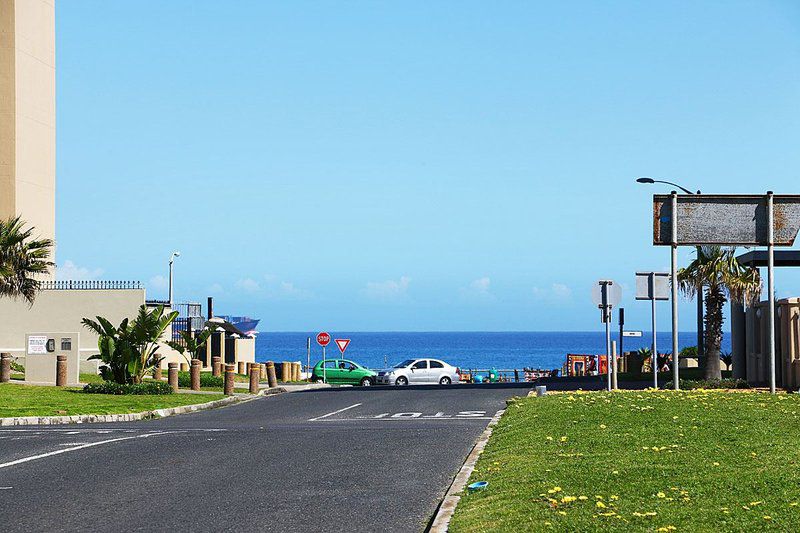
409, 165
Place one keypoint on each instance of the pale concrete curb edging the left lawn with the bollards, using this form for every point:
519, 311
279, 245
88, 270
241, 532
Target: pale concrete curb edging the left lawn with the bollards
132, 417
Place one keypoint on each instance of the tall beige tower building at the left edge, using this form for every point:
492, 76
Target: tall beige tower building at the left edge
28, 113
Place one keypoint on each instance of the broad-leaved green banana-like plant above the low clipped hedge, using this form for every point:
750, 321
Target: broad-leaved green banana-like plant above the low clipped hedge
130, 350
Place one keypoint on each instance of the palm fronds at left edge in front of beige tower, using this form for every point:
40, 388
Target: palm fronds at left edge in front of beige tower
22, 260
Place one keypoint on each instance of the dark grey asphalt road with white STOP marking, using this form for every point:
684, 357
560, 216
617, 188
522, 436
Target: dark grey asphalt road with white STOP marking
347, 459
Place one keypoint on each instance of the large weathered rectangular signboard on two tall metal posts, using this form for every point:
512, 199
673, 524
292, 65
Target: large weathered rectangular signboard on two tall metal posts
733, 220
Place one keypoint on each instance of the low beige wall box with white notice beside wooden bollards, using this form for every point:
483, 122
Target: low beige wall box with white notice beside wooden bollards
41, 350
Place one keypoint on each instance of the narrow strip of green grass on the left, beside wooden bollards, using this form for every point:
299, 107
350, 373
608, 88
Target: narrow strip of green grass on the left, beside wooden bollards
29, 400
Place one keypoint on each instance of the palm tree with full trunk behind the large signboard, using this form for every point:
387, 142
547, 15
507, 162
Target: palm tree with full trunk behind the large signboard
719, 275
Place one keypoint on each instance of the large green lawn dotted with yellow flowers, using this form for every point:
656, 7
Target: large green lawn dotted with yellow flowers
640, 461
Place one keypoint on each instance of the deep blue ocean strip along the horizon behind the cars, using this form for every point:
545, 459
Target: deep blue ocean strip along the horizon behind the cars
501, 350
